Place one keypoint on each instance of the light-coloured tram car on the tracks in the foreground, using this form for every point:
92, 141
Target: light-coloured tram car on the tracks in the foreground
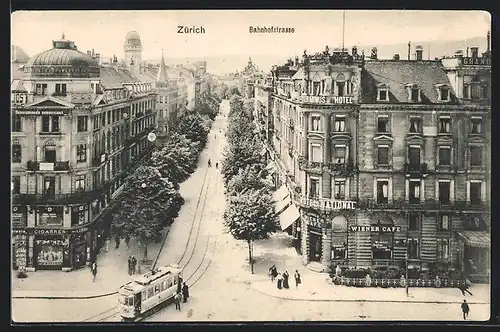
149, 292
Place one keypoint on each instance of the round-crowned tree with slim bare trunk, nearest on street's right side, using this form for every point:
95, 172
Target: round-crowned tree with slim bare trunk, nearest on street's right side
250, 217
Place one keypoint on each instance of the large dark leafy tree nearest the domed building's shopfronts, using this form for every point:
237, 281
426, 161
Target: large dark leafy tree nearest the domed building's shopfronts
148, 203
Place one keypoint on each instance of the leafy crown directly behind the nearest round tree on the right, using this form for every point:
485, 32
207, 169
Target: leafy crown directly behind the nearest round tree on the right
252, 176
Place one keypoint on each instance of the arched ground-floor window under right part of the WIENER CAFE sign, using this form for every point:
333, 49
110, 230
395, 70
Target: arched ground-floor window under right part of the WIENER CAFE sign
382, 238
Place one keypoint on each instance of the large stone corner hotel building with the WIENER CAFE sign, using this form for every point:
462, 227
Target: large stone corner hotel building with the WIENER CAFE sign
385, 163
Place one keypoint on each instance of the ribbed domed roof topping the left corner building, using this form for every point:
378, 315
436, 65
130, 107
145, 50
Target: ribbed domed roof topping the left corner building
63, 53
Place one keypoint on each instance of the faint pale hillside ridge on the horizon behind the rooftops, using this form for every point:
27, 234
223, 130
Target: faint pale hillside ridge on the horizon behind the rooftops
221, 65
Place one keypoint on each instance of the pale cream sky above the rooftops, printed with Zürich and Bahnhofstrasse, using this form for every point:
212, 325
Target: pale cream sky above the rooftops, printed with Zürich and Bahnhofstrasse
227, 32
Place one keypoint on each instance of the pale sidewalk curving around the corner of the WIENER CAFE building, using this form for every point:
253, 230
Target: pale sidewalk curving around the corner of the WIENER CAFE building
318, 286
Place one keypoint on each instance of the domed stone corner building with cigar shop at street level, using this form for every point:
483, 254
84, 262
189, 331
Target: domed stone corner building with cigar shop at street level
77, 129
